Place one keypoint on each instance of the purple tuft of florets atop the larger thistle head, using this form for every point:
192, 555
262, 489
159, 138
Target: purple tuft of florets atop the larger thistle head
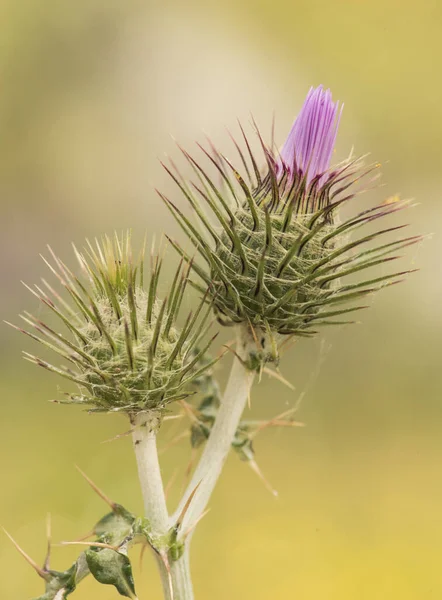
309, 145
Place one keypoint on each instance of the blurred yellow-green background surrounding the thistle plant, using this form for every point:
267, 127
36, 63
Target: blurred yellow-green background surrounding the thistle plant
91, 94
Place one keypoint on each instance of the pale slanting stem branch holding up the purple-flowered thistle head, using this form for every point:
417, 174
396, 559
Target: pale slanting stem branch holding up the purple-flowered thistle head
219, 443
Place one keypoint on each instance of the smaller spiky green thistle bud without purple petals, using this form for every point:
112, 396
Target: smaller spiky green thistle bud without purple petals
125, 346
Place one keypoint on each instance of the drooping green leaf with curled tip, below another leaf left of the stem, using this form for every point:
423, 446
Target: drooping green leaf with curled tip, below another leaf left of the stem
112, 568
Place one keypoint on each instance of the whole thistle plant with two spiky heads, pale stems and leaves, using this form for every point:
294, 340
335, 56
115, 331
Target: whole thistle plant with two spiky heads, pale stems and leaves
272, 257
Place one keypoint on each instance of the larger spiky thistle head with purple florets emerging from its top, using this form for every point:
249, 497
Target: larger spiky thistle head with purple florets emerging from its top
276, 261
